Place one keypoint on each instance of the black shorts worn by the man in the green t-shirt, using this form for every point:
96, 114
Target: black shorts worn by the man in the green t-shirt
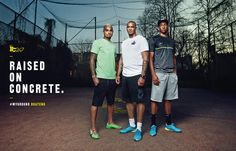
105, 88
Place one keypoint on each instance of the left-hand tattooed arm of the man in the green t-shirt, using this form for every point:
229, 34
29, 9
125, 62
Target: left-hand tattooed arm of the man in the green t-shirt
92, 64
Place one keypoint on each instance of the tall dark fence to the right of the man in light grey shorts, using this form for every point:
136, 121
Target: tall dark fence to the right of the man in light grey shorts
212, 61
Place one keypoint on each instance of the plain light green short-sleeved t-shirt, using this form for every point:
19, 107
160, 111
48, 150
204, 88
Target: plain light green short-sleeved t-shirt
105, 65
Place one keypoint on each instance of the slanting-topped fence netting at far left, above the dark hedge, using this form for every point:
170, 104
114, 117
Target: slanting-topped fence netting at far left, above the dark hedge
14, 26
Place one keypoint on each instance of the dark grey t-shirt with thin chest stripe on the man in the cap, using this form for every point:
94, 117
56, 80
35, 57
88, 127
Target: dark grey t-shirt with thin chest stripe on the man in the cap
164, 51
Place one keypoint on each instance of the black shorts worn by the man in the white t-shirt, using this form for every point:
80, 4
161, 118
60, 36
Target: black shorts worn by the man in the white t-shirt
131, 92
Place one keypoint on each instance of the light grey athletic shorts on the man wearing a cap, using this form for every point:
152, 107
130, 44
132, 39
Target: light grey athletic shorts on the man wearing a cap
167, 89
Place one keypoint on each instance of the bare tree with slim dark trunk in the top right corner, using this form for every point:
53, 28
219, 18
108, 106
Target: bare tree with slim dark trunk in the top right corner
213, 14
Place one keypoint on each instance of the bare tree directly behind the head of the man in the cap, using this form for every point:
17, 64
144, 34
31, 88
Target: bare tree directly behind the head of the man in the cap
168, 9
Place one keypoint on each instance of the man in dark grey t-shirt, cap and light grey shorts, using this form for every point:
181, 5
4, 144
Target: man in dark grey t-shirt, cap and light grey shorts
164, 78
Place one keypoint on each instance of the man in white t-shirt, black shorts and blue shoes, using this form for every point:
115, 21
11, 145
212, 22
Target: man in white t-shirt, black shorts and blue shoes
133, 63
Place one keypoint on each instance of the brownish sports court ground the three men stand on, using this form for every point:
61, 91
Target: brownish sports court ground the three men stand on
60, 122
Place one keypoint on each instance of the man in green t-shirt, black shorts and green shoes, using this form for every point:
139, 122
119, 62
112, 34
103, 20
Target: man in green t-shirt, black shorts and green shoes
102, 66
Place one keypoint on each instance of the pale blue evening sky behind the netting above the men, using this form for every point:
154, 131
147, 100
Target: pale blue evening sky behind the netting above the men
81, 15
